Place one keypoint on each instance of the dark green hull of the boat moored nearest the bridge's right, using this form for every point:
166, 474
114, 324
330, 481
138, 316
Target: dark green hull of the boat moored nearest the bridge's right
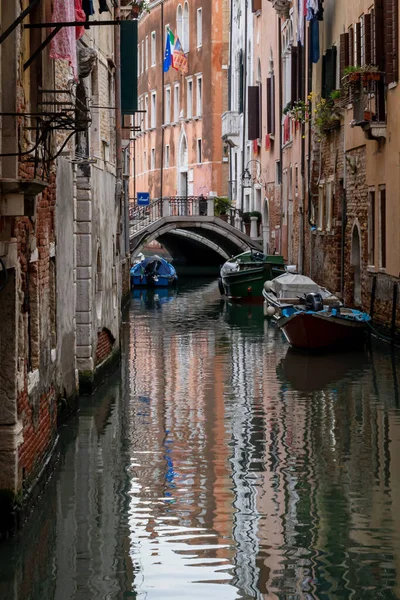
247, 285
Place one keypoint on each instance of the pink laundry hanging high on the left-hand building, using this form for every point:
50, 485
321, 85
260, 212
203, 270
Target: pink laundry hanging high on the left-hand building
63, 45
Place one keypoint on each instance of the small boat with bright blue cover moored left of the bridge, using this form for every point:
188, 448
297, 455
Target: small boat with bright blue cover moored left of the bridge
153, 271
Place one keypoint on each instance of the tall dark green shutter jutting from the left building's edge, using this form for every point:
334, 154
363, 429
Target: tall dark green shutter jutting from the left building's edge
129, 41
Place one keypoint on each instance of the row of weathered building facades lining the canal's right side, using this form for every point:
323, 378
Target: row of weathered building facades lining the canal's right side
323, 134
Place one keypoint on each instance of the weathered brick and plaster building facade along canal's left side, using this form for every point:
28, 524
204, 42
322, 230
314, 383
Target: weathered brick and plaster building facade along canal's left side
62, 246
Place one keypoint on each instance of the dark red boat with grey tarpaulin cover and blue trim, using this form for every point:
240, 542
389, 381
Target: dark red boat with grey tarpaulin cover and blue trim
310, 317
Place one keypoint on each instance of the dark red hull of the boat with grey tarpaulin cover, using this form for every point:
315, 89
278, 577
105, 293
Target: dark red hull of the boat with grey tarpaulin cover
313, 331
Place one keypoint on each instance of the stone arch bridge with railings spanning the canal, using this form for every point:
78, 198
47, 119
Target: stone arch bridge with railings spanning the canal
188, 228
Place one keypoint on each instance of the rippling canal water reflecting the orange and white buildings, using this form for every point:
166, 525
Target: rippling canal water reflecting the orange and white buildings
218, 464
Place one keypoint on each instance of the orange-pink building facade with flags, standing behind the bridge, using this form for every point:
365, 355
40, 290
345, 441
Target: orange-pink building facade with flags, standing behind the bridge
178, 149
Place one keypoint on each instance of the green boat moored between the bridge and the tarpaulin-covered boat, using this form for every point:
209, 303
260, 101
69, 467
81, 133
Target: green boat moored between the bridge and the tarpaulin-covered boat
243, 276
